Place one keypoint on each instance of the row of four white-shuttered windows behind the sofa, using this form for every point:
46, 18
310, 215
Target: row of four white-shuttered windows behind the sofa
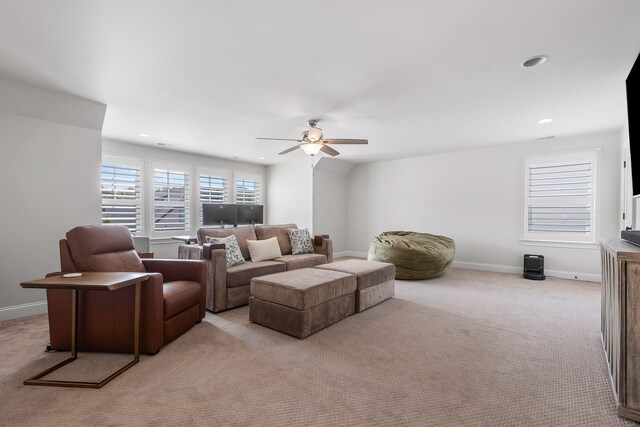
159, 200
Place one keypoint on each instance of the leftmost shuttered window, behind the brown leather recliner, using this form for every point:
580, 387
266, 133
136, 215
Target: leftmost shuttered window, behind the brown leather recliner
121, 200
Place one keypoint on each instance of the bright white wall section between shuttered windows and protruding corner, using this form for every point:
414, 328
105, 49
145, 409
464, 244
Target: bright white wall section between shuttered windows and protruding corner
290, 194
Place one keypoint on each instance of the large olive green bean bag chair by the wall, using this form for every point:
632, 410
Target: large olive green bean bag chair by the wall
415, 255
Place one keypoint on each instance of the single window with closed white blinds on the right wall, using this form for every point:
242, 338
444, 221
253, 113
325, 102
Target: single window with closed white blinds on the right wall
560, 197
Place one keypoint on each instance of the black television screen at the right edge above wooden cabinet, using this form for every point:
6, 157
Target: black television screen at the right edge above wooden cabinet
633, 110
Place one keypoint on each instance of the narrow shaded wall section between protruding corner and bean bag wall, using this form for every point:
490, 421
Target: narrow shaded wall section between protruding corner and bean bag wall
330, 201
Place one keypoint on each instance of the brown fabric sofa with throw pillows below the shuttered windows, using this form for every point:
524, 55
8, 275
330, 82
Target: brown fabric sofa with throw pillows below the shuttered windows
230, 287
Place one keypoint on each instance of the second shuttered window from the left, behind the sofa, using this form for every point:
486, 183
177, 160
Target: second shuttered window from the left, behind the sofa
170, 200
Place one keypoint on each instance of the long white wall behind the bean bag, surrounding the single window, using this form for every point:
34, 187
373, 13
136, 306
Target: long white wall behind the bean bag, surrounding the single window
476, 197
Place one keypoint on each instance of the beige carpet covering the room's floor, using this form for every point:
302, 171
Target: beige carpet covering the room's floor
471, 348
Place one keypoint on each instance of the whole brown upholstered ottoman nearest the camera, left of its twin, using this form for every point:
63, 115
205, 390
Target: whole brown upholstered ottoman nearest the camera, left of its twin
301, 302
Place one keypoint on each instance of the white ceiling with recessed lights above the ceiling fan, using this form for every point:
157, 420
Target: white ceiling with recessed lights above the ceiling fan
413, 76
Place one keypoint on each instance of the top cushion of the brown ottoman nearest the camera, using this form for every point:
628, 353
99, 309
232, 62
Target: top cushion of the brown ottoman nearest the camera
303, 289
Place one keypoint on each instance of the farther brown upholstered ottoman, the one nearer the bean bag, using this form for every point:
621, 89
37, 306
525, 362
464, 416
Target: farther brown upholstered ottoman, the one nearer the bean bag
376, 280
